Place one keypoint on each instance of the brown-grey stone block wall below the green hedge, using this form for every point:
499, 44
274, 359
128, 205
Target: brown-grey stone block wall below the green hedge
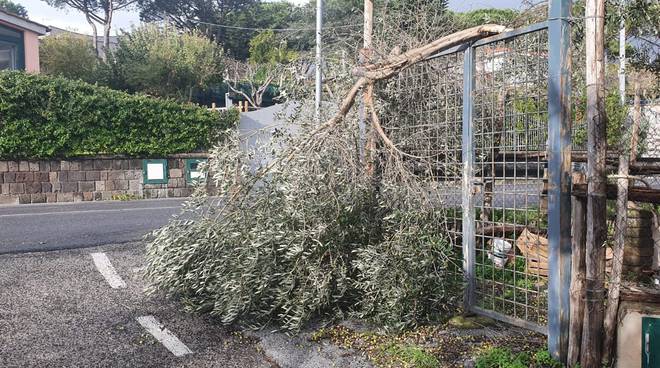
87, 179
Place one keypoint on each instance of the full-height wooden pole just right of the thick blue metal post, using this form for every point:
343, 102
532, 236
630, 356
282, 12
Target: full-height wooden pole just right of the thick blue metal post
592, 333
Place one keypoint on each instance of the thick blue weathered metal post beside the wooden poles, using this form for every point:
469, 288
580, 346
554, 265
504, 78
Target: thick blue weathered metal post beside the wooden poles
559, 176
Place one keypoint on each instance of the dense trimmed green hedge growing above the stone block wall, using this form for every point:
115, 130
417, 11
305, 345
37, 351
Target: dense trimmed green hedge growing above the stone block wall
44, 117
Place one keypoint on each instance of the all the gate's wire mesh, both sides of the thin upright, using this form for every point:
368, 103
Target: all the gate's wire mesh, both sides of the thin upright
423, 115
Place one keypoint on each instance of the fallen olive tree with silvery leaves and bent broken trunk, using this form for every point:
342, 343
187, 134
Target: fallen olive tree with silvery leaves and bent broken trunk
299, 230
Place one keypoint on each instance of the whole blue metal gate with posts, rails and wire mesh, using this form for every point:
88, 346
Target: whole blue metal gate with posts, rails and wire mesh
495, 116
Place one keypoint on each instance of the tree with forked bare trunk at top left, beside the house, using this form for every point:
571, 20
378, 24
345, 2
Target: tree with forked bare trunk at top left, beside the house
96, 11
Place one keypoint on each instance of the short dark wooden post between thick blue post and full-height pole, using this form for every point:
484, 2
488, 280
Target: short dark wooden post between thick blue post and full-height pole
579, 227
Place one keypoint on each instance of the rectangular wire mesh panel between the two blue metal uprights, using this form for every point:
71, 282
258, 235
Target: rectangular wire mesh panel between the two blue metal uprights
510, 135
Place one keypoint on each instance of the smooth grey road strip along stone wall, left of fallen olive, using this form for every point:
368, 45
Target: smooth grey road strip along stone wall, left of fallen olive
30, 228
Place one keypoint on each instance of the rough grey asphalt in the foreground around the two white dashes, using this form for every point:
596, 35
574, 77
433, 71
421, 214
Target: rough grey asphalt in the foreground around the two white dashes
57, 310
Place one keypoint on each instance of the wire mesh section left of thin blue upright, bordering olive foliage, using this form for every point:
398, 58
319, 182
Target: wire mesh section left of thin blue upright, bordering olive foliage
422, 113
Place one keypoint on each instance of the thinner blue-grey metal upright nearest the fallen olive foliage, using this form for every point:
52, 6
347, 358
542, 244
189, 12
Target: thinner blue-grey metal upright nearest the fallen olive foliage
469, 252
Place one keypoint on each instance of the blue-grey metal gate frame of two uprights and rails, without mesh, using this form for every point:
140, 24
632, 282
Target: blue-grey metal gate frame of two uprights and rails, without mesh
559, 175
